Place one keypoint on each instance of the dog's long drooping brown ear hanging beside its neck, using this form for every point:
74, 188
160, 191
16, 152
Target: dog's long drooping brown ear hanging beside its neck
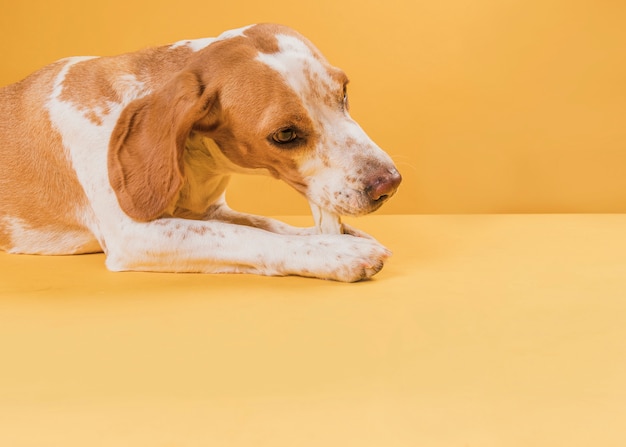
145, 158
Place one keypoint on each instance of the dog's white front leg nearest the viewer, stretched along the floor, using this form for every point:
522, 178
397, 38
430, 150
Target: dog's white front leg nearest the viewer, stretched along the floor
182, 245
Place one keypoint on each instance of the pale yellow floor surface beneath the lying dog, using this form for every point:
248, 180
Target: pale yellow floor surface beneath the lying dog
481, 331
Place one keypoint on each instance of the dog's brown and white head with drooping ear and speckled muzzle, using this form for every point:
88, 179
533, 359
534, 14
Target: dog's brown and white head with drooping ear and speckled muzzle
271, 102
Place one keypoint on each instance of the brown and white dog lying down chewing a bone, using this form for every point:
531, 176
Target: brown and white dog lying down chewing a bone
131, 155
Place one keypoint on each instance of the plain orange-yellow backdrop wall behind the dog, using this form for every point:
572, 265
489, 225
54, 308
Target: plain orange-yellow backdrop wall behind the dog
486, 105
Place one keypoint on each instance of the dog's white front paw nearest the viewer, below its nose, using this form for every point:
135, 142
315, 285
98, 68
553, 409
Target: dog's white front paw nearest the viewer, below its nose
352, 259
